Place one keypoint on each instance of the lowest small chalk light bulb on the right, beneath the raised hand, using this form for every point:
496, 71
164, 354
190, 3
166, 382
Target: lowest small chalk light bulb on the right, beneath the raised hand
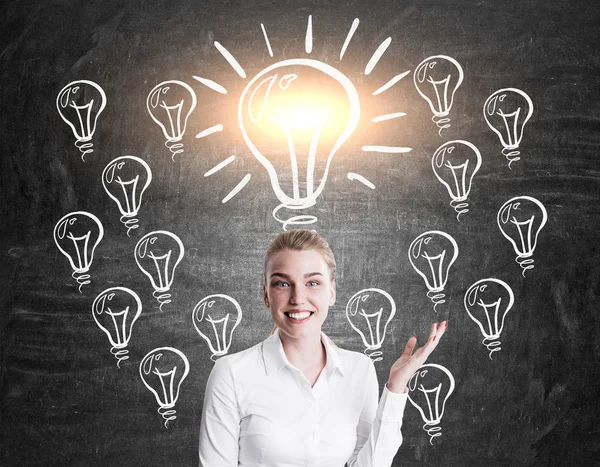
428, 391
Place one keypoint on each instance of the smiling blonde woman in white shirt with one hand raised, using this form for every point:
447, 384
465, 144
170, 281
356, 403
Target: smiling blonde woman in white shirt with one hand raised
295, 398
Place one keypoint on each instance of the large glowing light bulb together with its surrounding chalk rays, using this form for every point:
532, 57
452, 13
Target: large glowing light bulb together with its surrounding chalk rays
295, 116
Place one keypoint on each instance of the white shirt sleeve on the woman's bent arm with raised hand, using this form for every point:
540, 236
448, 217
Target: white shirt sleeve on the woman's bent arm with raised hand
378, 431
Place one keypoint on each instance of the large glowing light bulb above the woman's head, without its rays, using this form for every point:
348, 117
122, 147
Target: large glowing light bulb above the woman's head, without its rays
294, 116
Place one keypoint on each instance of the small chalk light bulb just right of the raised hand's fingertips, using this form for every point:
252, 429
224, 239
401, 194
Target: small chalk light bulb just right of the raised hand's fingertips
487, 302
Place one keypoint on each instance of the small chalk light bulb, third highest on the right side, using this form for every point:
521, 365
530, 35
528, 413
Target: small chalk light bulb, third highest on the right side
454, 164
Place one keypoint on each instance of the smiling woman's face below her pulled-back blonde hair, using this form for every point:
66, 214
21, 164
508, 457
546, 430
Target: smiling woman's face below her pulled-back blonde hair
299, 291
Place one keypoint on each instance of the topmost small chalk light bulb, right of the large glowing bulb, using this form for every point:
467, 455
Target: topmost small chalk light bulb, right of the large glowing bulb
437, 78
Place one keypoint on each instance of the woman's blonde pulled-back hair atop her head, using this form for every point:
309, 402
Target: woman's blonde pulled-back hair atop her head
299, 240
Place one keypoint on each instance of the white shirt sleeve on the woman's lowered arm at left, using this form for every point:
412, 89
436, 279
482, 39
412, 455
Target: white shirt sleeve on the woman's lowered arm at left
220, 425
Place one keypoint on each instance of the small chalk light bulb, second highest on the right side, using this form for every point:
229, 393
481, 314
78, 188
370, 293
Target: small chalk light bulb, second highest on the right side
506, 112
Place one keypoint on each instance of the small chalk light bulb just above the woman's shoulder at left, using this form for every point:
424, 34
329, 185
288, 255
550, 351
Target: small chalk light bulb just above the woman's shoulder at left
215, 318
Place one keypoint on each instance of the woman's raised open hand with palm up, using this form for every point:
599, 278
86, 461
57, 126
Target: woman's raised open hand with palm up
409, 362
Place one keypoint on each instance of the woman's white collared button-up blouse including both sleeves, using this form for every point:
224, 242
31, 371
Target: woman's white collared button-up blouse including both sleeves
260, 410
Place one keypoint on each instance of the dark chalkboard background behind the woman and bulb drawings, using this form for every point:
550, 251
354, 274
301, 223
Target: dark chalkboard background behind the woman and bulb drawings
63, 399
